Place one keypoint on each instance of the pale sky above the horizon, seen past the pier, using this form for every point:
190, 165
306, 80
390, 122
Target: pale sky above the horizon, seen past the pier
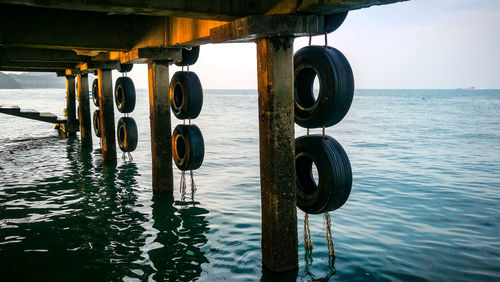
418, 44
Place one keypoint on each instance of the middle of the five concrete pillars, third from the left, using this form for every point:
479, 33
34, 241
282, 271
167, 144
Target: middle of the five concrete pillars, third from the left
107, 116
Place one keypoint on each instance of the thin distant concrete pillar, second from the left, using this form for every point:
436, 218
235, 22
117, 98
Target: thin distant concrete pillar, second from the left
84, 114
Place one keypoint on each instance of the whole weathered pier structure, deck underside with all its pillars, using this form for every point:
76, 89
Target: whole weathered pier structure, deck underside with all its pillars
75, 38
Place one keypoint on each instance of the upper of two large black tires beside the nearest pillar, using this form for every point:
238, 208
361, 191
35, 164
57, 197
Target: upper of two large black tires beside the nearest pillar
336, 86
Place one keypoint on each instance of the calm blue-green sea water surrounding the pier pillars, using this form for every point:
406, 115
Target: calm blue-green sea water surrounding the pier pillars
425, 202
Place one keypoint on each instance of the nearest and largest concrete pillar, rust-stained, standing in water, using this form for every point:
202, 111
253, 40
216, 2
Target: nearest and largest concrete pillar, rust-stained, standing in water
277, 153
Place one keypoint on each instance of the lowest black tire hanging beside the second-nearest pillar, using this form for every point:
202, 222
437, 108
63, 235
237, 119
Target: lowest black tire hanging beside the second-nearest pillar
188, 147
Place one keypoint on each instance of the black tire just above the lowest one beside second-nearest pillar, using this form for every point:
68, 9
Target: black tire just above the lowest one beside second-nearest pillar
186, 95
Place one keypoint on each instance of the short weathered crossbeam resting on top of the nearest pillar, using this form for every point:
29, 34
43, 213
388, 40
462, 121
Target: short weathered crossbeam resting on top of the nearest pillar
254, 27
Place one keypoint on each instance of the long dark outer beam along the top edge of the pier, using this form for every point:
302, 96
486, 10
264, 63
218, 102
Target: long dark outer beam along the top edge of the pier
213, 10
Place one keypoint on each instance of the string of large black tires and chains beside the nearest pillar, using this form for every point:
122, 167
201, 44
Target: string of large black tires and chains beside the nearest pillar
326, 108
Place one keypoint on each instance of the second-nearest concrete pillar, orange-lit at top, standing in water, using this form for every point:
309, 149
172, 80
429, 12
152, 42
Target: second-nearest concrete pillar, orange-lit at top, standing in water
159, 116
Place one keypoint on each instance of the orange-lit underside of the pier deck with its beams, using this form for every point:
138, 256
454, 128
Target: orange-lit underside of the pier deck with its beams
82, 35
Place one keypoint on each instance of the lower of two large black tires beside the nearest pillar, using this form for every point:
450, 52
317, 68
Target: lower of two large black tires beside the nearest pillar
334, 171
